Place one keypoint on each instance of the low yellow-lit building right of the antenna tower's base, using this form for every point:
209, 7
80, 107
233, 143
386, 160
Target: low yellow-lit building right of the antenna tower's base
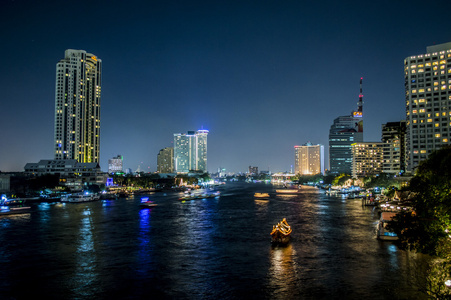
367, 158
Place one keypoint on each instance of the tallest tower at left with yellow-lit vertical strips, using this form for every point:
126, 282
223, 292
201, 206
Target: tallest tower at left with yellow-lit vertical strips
77, 107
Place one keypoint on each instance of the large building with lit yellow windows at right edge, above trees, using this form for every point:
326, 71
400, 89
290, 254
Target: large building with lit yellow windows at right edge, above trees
428, 102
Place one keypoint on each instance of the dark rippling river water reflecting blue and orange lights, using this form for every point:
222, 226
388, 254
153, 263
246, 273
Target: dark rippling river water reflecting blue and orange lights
215, 248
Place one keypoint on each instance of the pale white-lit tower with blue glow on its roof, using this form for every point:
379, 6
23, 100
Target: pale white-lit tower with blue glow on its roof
190, 151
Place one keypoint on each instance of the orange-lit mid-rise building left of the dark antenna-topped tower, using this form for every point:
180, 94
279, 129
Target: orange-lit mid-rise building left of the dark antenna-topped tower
309, 159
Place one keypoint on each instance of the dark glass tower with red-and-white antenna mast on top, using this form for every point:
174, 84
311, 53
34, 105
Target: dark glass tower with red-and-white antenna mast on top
345, 131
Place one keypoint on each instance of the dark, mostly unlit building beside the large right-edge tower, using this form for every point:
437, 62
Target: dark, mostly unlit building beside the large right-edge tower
394, 139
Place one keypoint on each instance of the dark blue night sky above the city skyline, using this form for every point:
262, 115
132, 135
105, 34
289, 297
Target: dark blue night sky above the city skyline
261, 76
